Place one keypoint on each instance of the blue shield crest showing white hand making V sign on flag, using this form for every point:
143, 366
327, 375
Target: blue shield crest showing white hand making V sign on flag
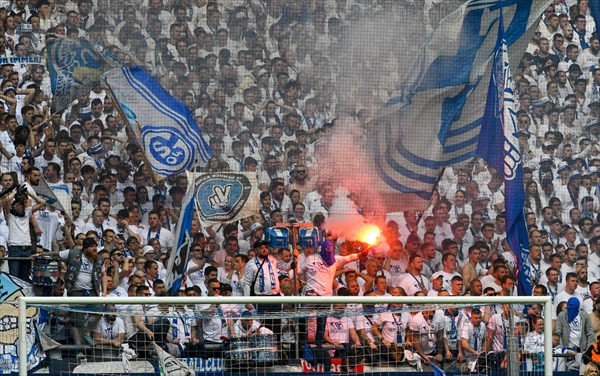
221, 196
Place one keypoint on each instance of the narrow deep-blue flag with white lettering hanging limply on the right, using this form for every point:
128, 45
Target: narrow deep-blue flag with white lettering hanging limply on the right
499, 146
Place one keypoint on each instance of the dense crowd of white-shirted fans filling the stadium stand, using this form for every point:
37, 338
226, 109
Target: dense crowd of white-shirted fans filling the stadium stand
260, 79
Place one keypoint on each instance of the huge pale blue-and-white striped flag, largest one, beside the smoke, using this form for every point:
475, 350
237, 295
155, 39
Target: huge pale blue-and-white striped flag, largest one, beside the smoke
433, 119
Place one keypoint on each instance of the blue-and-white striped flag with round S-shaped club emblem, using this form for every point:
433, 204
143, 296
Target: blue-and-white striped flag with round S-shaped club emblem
165, 126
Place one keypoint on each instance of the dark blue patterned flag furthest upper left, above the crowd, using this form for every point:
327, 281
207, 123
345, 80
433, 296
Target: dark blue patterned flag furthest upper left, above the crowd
75, 67
